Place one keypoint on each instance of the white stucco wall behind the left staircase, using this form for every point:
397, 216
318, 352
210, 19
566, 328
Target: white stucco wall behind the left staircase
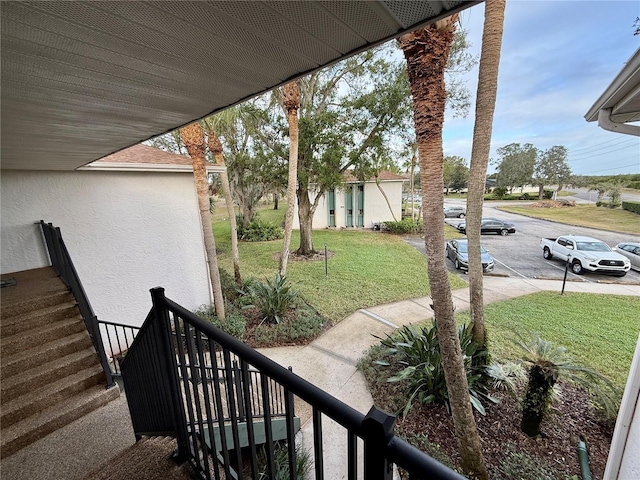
126, 233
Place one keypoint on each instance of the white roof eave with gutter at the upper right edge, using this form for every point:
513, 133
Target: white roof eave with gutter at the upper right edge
619, 106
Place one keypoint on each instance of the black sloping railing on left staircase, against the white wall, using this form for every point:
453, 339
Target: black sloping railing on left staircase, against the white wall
62, 263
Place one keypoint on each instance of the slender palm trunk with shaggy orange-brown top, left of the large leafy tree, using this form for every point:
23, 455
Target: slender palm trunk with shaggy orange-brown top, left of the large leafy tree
291, 103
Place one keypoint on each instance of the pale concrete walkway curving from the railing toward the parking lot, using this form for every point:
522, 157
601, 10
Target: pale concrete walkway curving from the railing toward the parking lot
329, 362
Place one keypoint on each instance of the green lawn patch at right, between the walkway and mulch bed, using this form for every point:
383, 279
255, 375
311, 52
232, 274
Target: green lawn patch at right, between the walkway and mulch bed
598, 330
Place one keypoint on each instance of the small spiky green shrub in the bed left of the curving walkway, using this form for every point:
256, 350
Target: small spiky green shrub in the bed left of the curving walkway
273, 299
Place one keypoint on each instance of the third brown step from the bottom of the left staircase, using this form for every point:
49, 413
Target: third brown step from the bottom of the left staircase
32, 379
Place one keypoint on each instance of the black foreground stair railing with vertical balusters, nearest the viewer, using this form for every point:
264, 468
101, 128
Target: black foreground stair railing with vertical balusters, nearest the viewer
188, 407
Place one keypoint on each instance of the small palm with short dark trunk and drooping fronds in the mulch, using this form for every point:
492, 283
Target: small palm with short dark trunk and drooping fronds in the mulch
545, 364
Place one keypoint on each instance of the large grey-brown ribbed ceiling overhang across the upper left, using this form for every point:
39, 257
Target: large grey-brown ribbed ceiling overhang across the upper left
82, 80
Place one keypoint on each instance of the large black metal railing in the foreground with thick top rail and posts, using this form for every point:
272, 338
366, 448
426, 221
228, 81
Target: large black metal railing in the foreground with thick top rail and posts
163, 373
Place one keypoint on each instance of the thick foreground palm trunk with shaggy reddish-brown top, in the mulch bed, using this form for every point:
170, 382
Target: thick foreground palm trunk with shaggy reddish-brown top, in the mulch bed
426, 52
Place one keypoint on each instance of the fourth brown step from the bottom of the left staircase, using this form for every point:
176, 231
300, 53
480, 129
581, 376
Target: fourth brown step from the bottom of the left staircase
11, 365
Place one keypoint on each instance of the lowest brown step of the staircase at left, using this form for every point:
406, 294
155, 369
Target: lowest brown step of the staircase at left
54, 416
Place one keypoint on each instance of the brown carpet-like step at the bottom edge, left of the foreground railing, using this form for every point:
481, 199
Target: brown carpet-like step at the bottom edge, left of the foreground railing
152, 456
